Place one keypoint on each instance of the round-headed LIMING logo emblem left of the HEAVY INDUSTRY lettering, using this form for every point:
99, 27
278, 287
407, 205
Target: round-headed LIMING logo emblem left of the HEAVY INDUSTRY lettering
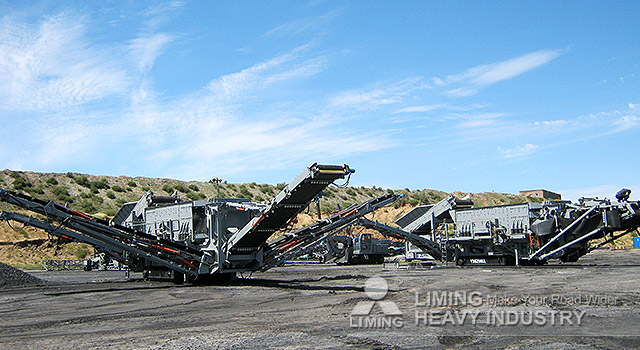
376, 312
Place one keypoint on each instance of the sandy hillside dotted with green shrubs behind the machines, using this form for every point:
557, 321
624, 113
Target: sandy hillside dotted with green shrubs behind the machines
104, 195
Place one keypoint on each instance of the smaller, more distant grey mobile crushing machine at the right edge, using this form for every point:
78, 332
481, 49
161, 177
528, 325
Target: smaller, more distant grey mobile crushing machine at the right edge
515, 234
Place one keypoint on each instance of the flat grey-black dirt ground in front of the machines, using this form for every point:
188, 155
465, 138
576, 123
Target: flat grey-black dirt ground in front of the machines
592, 304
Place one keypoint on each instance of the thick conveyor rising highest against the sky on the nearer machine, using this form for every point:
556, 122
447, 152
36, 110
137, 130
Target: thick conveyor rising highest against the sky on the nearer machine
288, 203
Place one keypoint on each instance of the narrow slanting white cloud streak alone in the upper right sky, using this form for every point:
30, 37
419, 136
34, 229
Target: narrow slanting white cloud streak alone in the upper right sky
470, 81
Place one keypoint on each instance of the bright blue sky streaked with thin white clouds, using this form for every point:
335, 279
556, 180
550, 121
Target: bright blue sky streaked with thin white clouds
456, 96
